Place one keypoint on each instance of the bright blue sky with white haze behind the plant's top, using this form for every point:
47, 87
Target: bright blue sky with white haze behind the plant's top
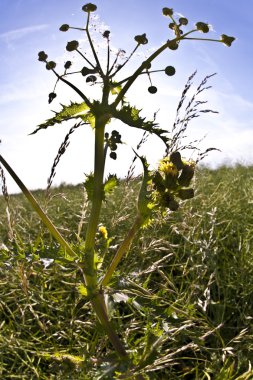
29, 26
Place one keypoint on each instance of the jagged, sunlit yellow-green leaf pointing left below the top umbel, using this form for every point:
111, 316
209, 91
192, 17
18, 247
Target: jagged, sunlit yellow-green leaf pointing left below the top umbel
73, 111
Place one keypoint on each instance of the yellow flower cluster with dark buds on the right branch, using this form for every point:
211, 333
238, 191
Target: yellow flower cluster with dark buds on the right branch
172, 181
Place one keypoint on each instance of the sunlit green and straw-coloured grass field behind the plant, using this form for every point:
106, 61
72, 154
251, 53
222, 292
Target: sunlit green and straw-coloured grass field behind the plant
181, 300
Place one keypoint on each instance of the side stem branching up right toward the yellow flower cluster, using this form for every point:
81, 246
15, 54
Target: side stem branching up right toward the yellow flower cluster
124, 247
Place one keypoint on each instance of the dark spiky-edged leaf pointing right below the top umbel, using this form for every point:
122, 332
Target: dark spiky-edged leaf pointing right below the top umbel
131, 116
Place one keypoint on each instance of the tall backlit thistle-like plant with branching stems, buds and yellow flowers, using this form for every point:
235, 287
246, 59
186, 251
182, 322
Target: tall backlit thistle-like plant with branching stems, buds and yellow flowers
161, 189
